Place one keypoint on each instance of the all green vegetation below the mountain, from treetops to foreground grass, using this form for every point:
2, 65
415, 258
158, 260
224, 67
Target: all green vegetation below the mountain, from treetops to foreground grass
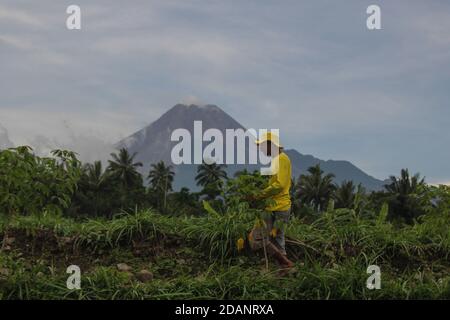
190, 251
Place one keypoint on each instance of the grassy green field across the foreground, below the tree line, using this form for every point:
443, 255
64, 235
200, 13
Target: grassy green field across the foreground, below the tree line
195, 258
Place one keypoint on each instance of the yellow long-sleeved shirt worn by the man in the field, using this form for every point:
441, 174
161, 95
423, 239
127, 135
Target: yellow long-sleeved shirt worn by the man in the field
279, 184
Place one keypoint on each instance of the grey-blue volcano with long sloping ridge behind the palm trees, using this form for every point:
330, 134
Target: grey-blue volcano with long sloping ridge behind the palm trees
153, 144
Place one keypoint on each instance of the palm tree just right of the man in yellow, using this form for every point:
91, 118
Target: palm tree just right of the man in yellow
315, 189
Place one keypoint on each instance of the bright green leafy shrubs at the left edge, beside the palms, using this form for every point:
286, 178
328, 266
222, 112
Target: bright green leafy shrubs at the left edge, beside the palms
32, 185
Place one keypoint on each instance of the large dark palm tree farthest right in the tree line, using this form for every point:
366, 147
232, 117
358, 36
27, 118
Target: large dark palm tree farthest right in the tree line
403, 195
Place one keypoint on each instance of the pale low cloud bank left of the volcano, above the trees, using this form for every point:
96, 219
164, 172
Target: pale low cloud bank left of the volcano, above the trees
92, 138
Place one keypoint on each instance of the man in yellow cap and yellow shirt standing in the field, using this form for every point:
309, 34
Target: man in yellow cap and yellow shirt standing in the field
277, 192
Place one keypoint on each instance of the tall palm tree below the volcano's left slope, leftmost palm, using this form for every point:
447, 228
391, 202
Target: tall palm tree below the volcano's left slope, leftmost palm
124, 169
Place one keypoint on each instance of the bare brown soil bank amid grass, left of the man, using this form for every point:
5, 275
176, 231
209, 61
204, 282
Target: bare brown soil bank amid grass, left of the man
46, 247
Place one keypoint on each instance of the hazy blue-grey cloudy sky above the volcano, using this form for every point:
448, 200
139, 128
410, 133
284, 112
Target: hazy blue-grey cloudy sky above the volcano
310, 68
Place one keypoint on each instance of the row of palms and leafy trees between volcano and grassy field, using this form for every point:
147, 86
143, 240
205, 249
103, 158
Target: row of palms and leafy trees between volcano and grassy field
64, 184
